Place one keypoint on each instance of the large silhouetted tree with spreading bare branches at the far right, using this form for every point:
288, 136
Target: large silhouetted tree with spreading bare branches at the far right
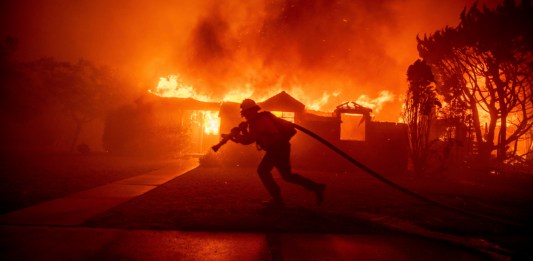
485, 65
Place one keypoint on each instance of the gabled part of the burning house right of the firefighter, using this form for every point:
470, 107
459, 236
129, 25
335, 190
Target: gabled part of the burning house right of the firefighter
379, 145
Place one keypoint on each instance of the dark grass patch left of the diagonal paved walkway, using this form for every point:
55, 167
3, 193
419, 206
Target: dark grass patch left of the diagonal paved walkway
32, 177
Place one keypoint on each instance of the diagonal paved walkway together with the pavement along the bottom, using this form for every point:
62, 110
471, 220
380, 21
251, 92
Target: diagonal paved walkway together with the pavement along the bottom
53, 231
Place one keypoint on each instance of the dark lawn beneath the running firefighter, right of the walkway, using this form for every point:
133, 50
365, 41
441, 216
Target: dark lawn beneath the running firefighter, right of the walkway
227, 199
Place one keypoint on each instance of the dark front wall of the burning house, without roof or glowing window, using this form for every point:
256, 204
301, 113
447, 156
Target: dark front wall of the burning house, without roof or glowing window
384, 148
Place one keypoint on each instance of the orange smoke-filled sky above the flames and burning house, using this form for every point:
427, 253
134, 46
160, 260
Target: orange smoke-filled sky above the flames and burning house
352, 47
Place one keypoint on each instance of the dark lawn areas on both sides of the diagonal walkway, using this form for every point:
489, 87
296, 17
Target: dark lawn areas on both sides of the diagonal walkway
227, 199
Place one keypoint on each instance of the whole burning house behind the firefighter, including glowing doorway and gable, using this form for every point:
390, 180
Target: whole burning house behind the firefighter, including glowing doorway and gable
380, 145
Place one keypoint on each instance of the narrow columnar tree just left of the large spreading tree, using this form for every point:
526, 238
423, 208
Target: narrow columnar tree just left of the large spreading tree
419, 110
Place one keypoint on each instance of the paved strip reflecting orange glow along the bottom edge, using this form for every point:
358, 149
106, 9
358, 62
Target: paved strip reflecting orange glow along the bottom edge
82, 243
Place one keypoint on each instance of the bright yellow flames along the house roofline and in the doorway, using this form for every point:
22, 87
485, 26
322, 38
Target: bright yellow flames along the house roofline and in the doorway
175, 86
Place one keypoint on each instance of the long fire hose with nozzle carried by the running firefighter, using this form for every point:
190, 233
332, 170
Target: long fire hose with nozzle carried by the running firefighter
227, 137
